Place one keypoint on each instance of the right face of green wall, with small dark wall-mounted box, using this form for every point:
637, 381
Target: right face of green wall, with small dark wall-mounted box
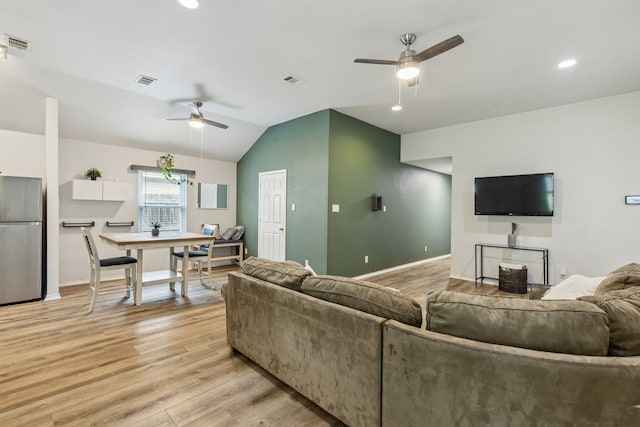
363, 160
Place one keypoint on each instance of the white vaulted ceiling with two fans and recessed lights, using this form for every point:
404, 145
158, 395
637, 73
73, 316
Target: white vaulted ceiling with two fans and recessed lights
235, 55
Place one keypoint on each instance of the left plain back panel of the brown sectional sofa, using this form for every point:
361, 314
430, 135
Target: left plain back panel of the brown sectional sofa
329, 353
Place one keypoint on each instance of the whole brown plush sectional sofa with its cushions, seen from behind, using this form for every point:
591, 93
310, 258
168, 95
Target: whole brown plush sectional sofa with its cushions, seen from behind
365, 354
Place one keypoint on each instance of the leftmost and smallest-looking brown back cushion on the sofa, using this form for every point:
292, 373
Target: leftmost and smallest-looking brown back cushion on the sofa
287, 274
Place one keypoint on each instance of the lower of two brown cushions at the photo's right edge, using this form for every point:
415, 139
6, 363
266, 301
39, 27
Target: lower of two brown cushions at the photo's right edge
623, 309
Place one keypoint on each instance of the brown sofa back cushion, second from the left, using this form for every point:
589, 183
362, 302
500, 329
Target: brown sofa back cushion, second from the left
365, 296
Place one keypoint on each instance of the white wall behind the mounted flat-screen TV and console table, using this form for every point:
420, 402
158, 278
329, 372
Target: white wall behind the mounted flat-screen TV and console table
593, 148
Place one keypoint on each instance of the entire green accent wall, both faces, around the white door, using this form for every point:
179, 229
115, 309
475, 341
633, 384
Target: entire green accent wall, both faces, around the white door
332, 158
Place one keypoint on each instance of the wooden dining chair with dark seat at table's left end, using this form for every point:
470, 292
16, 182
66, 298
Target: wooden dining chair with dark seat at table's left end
128, 263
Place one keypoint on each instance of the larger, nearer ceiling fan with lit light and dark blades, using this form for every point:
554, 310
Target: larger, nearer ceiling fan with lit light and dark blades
409, 60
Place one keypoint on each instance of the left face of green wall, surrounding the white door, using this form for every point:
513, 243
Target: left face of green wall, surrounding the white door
301, 147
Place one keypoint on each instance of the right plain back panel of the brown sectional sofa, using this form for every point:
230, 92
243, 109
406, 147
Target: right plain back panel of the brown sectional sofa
456, 381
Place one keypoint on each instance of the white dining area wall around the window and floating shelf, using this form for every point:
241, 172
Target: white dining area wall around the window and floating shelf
78, 156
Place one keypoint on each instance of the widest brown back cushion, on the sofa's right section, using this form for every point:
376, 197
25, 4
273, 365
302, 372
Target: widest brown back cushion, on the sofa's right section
572, 327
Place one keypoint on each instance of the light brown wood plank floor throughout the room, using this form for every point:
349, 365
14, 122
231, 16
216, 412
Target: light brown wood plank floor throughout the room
165, 363
